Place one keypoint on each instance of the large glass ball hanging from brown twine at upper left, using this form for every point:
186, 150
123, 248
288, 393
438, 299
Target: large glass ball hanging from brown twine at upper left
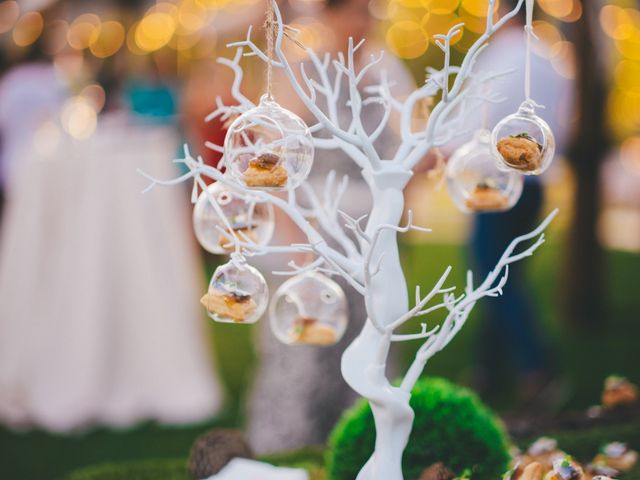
268, 148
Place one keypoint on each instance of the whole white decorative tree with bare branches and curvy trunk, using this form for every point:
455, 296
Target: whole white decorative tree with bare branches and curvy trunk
367, 256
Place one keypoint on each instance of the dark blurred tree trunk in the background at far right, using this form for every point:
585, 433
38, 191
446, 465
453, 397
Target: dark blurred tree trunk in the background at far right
584, 278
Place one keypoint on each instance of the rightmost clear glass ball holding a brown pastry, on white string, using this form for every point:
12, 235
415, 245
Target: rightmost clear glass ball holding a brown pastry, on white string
523, 142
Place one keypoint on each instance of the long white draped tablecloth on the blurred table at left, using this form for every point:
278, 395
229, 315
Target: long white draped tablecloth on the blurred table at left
99, 288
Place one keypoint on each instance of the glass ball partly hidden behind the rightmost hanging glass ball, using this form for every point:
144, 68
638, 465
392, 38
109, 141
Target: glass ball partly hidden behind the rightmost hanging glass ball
474, 181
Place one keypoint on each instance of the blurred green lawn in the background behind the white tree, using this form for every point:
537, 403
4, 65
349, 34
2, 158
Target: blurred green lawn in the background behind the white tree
38, 455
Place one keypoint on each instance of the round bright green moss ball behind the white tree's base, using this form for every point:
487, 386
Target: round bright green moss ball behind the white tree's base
451, 426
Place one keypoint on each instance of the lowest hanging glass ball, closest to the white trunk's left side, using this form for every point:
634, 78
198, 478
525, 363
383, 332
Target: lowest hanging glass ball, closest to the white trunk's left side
309, 309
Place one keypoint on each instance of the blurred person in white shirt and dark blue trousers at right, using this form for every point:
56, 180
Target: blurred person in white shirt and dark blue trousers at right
510, 329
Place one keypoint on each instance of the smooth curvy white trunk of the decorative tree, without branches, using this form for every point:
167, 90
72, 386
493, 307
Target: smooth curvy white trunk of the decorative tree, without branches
364, 361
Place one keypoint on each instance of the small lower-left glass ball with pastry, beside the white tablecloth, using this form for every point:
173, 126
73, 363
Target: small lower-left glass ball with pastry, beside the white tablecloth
237, 294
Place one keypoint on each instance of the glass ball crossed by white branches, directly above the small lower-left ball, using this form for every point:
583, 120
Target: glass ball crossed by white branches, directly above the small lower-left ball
249, 219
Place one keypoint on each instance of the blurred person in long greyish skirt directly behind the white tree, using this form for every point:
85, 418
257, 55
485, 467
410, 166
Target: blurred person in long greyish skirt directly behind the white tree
299, 392
